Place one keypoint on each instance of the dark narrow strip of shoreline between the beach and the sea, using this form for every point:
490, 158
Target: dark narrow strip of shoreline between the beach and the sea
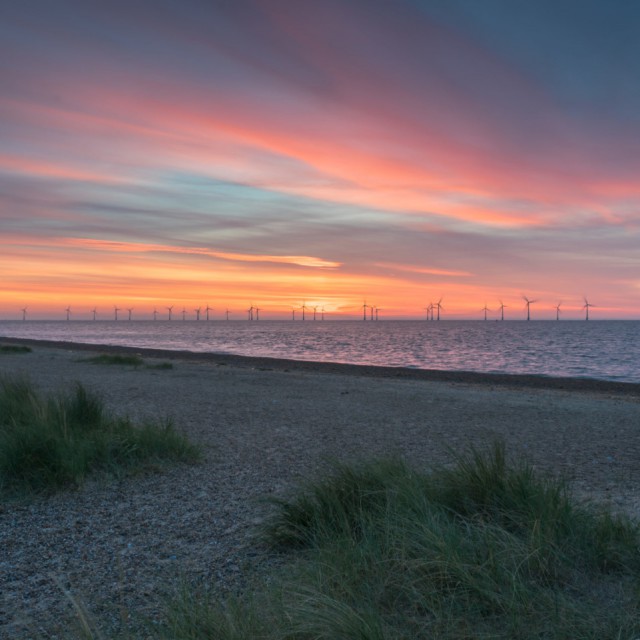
510, 380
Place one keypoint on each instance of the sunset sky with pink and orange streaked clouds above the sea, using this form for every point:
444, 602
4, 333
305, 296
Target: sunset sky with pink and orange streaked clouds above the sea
275, 153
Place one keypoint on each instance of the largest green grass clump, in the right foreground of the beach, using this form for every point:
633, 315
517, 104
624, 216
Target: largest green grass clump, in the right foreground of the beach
486, 549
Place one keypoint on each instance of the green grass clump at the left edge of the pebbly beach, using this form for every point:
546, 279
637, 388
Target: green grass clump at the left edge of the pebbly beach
49, 443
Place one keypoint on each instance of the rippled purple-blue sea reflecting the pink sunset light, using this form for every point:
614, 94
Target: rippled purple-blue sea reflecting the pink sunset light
606, 350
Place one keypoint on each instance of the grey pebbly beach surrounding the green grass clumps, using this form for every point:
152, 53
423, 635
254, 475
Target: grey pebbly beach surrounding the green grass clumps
122, 547
